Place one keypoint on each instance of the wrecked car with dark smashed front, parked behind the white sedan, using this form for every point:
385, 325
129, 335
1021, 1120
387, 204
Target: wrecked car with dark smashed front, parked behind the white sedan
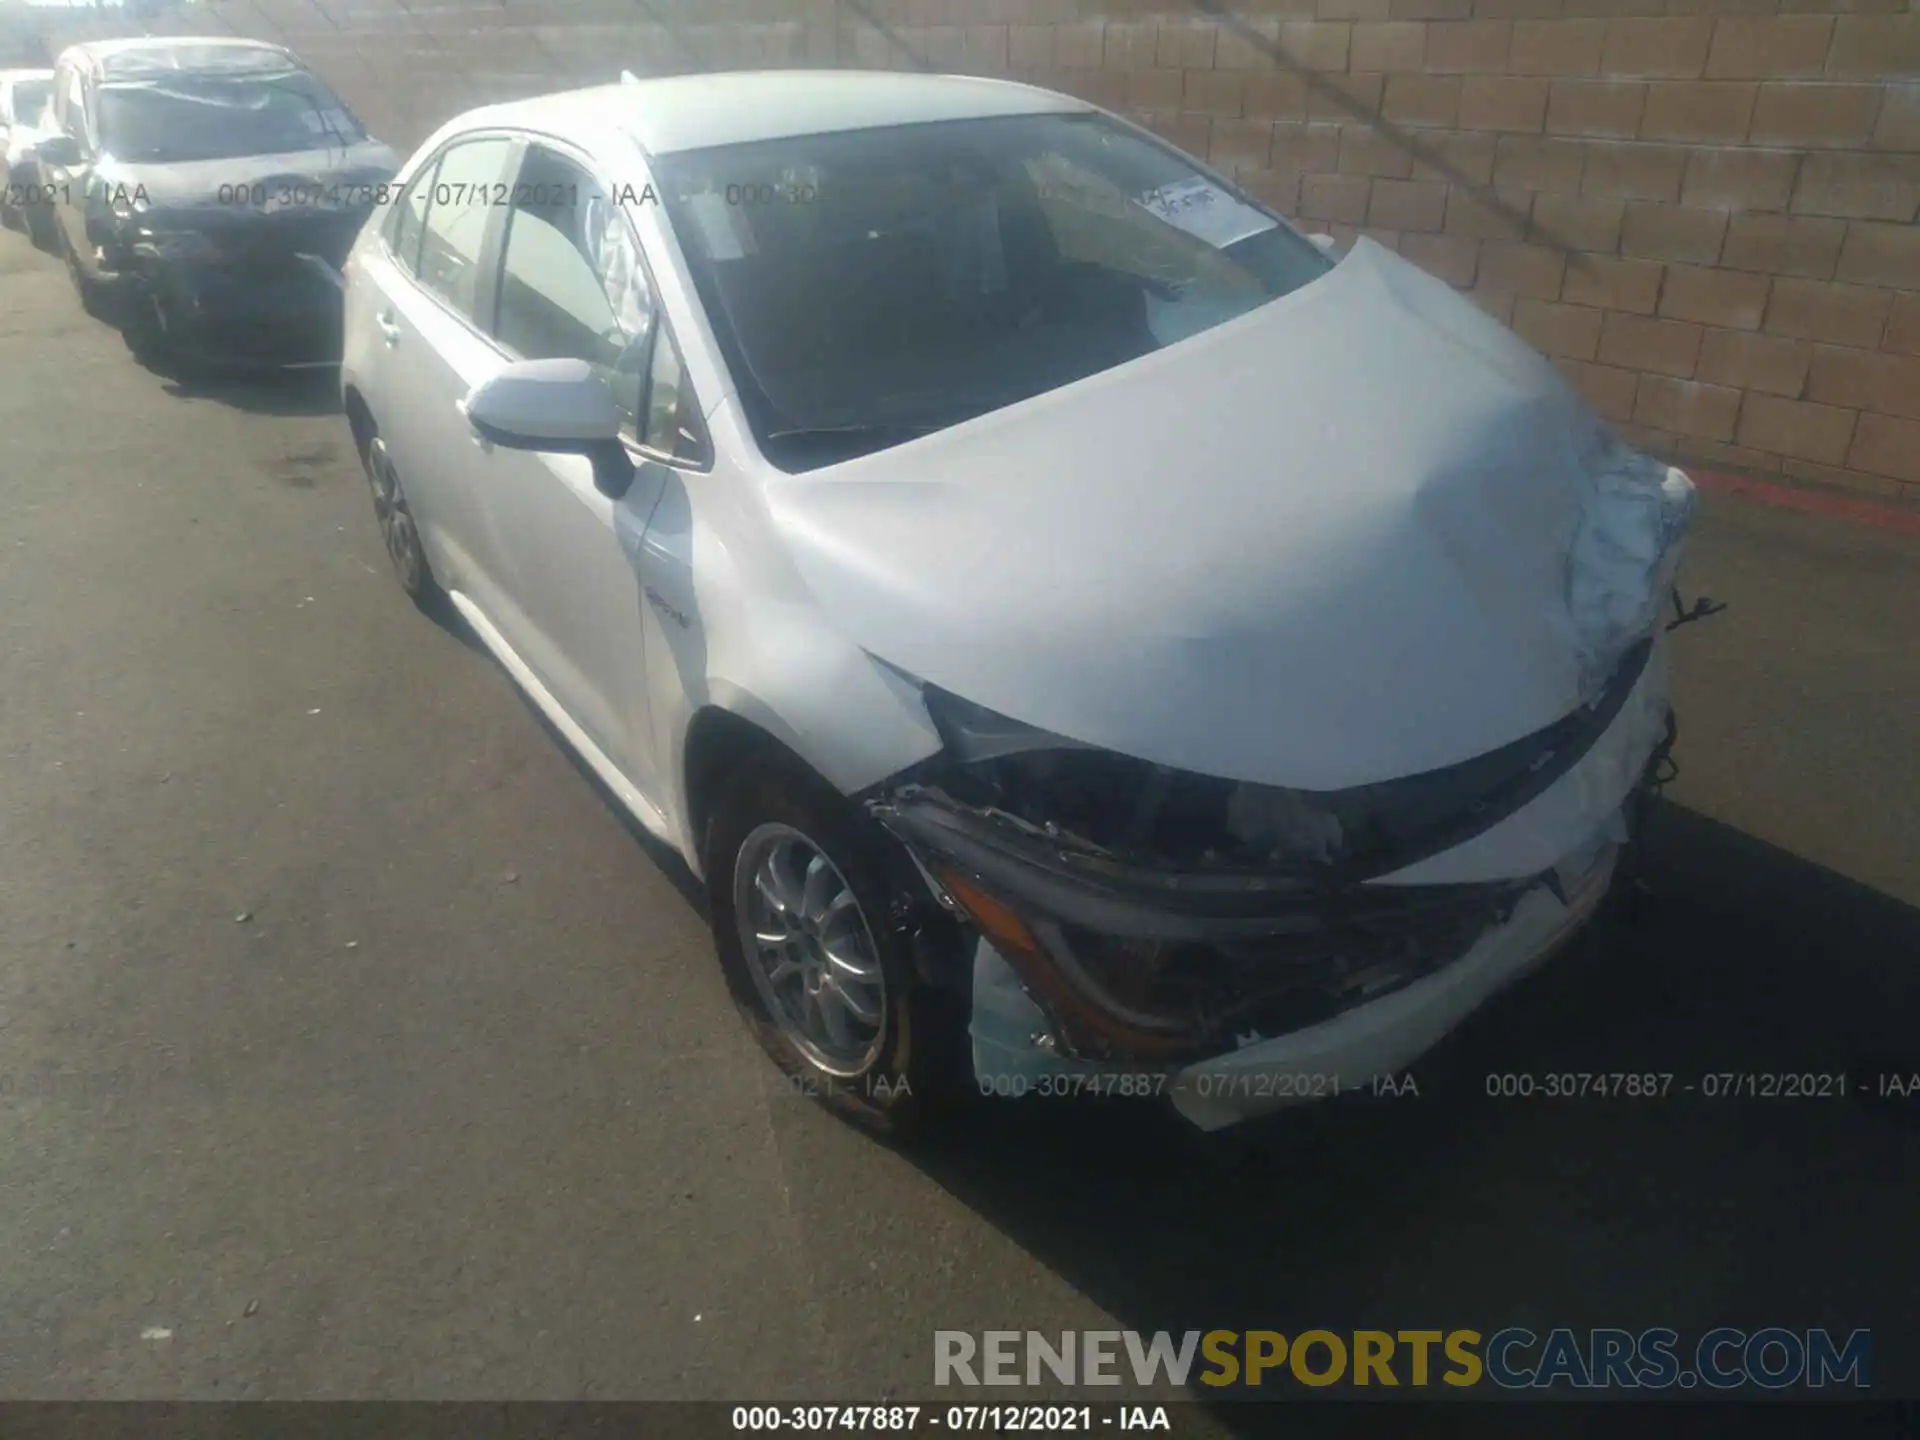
204, 195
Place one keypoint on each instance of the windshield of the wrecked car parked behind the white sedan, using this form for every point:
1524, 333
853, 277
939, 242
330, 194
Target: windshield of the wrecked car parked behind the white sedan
187, 118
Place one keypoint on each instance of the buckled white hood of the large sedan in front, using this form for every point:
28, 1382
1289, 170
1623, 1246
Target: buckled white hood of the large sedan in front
1320, 546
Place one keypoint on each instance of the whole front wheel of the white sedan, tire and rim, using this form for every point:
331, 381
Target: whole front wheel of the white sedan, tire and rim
804, 900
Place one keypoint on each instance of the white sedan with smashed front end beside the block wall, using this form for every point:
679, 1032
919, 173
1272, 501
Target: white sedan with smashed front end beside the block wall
1080, 629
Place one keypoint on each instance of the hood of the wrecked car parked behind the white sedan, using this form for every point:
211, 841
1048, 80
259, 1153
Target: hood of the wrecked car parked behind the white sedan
229, 185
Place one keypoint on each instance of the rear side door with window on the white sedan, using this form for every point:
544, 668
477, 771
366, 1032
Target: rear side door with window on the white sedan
425, 350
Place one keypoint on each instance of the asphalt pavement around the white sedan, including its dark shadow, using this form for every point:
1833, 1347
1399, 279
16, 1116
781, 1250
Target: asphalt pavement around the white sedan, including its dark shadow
354, 1047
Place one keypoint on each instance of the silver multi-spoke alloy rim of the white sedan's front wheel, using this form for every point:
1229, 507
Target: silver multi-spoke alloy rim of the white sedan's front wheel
809, 949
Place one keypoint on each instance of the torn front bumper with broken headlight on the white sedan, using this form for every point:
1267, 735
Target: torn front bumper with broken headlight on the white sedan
1251, 992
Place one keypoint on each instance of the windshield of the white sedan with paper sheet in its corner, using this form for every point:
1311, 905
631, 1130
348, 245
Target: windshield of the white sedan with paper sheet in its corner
875, 285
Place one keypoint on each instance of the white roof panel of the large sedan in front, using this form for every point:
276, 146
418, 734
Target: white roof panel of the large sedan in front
694, 112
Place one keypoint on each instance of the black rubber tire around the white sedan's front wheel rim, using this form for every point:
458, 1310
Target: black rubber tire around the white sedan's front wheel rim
913, 1076
